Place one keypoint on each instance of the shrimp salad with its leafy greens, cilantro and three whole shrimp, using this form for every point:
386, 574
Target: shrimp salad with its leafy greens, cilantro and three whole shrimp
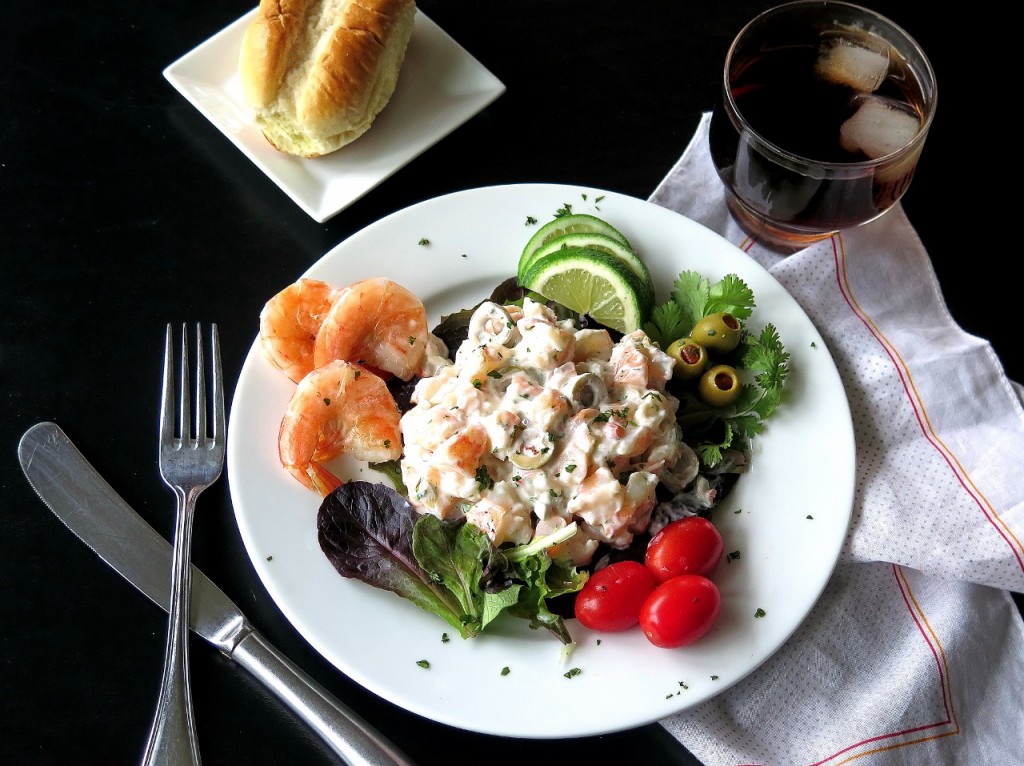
529, 449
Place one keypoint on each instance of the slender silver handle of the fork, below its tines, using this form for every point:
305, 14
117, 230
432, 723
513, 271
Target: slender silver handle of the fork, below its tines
173, 739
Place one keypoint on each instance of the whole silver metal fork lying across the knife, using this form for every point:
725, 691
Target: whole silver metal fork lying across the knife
189, 464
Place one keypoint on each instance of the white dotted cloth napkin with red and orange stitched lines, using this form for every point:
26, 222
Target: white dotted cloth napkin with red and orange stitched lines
915, 654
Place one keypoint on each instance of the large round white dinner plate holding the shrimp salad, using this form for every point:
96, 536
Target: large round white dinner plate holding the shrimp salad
787, 518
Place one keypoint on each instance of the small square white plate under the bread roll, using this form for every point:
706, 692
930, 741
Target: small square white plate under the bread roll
441, 88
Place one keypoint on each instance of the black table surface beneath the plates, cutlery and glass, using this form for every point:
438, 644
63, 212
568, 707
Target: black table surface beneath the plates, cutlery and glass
123, 209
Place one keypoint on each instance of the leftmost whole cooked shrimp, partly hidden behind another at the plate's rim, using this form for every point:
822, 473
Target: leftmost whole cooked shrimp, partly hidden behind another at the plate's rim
289, 323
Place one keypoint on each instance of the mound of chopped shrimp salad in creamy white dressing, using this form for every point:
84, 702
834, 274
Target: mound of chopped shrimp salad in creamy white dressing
537, 425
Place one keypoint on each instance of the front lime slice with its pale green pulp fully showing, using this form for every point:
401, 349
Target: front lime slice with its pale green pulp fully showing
590, 282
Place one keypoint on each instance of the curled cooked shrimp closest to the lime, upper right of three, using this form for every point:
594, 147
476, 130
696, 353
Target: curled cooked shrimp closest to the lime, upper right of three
376, 323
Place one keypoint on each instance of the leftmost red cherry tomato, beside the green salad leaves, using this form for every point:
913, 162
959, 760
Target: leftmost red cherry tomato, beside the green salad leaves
611, 601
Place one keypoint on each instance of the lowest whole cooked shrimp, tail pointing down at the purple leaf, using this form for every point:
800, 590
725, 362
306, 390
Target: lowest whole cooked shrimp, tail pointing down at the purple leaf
338, 408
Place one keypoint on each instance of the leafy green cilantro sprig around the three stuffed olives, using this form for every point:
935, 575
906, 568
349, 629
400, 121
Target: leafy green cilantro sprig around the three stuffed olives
712, 431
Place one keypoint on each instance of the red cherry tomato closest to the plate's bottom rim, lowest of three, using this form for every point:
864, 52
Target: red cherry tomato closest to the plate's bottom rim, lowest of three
680, 611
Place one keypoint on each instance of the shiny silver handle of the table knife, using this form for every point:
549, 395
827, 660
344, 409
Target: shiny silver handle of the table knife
357, 742
